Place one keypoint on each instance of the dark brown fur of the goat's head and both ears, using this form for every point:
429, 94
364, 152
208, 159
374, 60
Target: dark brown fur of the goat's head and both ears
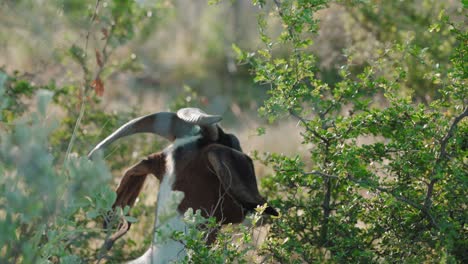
217, 180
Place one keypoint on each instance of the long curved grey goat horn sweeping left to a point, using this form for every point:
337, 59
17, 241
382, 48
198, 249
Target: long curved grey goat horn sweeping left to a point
165, 124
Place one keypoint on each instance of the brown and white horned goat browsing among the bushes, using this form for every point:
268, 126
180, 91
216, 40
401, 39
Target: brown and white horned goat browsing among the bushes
204, 169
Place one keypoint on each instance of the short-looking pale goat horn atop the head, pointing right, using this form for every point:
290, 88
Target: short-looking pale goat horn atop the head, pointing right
198, 117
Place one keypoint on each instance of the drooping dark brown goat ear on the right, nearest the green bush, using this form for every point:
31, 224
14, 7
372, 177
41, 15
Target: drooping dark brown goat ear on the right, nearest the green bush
236, 173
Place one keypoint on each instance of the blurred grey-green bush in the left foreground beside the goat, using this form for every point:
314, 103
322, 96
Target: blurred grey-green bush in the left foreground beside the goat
46, 206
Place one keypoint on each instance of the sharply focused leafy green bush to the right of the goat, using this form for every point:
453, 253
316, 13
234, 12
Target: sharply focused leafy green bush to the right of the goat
385, 177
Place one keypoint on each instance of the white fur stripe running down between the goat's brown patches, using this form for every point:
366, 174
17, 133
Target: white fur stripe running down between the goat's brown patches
164, 249
